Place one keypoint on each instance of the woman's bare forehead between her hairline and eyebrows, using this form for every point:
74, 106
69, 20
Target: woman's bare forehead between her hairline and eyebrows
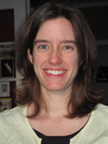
59, 28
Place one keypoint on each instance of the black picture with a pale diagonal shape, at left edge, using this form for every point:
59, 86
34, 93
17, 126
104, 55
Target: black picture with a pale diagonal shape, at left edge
7, 68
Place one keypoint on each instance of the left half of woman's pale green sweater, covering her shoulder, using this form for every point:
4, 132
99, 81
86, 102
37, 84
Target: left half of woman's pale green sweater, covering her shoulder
14, 127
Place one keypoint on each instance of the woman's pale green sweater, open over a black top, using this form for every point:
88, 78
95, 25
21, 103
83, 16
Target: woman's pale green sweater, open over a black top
15, 128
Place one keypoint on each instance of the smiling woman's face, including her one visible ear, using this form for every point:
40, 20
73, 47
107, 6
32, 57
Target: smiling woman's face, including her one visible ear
55, 56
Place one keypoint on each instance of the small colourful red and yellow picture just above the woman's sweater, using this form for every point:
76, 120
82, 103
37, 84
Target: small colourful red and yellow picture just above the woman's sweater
5, 104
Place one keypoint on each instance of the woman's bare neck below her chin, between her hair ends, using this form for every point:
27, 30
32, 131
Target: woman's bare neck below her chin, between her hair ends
56, 103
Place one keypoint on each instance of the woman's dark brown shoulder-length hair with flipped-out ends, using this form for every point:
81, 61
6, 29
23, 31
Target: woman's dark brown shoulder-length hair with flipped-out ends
83, 98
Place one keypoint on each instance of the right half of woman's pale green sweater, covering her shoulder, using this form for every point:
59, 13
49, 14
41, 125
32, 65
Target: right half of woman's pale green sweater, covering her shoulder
96, 129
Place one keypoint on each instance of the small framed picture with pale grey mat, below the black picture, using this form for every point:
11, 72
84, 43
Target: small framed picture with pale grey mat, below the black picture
4, 89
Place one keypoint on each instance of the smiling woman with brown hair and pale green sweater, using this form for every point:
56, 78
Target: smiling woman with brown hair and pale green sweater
57, 57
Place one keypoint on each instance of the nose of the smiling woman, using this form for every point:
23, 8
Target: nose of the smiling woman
55, 57
